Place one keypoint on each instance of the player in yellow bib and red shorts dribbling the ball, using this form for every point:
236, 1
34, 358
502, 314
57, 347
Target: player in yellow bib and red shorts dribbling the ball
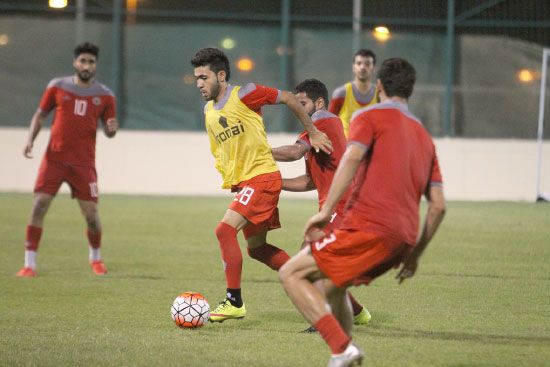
238, 142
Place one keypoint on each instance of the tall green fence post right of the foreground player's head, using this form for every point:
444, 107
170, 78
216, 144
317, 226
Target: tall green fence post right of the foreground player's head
449, 70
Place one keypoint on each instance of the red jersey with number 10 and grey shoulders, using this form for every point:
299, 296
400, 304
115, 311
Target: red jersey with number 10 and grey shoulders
74, 127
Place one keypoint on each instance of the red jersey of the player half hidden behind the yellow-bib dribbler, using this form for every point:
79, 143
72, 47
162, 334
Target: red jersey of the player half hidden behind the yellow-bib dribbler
320, 167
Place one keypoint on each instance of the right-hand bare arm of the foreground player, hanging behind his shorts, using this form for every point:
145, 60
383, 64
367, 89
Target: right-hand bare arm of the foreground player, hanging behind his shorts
434, 216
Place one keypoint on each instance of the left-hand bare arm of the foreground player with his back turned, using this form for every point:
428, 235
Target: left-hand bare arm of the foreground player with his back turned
342, 180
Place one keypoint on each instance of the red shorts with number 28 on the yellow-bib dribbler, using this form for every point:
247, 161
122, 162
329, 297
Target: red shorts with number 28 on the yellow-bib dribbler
257, 201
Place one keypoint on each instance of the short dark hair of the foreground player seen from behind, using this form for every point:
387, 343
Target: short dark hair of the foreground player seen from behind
397, 77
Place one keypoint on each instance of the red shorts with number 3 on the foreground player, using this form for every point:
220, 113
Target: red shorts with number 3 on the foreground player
355, 257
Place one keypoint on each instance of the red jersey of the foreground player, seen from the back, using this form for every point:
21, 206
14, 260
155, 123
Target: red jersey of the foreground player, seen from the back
400, 165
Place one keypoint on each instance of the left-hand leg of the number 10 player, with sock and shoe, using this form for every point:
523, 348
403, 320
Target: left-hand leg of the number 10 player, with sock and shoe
41, 204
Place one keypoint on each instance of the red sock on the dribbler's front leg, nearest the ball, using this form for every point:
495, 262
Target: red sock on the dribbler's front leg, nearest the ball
231, 254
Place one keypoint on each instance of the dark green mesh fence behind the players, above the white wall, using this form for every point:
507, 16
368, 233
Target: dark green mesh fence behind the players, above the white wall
497, 47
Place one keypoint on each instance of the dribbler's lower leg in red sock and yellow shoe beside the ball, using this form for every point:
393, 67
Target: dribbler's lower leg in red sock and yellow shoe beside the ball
232, 307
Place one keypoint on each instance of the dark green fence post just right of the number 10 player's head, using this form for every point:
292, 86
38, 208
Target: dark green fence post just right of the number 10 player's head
117, 58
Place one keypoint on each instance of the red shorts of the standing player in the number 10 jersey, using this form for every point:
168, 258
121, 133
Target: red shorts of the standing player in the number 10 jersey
82, 180
